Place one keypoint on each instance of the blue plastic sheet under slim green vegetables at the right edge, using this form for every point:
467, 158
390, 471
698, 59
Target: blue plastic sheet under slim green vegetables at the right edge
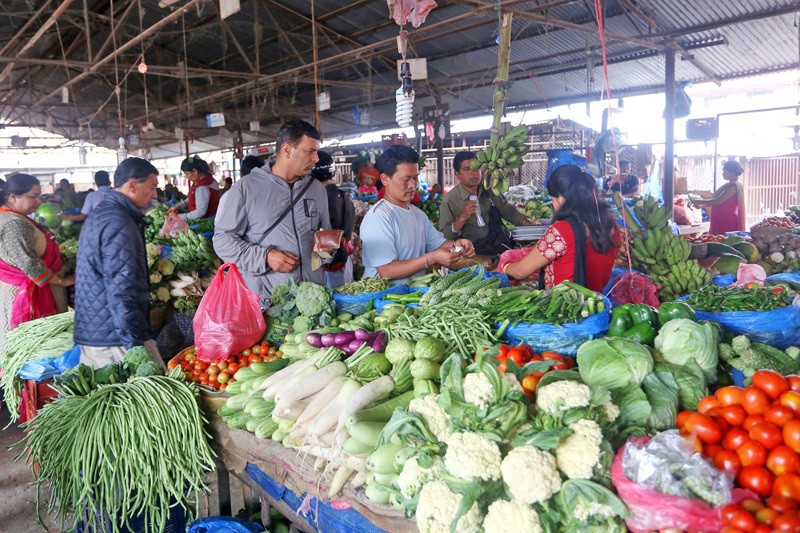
779, 328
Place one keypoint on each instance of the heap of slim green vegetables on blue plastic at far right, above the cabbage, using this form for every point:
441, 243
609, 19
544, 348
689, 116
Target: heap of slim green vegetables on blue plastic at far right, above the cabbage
715, 299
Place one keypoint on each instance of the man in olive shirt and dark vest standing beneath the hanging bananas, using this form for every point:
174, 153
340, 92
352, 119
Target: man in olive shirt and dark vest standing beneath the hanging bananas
470, 211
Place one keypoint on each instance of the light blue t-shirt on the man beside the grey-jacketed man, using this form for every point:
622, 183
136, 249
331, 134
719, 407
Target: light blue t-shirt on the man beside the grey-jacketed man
393, 233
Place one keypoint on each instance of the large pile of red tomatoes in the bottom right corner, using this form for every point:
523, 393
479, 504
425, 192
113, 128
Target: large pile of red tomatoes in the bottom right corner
754, 432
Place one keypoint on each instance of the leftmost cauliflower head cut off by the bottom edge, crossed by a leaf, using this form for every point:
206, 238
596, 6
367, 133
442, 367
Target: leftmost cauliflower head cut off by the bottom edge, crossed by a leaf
437, 509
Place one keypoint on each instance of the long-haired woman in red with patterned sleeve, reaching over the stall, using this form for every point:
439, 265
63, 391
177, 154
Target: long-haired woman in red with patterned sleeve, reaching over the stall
583, 241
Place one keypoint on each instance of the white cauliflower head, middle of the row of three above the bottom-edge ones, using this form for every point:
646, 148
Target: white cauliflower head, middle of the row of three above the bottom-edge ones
530, 474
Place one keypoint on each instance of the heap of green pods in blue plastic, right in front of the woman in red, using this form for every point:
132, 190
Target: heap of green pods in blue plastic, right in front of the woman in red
566, 302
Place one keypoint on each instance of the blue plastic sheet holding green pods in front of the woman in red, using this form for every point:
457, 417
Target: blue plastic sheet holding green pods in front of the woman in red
564, 339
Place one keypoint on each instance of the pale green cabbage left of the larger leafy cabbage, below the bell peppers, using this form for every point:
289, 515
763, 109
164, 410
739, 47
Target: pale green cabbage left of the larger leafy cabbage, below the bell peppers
613, 363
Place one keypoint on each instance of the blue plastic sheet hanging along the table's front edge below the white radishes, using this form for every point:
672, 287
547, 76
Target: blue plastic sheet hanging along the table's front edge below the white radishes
322, 515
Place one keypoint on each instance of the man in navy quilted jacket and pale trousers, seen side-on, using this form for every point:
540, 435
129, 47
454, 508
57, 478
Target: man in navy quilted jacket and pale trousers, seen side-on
112, 290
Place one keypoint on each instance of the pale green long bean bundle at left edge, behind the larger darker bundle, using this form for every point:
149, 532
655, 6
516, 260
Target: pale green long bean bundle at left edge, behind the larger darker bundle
30, 341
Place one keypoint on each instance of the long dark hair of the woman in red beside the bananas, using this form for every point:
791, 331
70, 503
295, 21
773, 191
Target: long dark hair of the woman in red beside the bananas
581, 201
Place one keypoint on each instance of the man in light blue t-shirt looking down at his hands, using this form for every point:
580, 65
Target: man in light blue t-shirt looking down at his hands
398, 239
